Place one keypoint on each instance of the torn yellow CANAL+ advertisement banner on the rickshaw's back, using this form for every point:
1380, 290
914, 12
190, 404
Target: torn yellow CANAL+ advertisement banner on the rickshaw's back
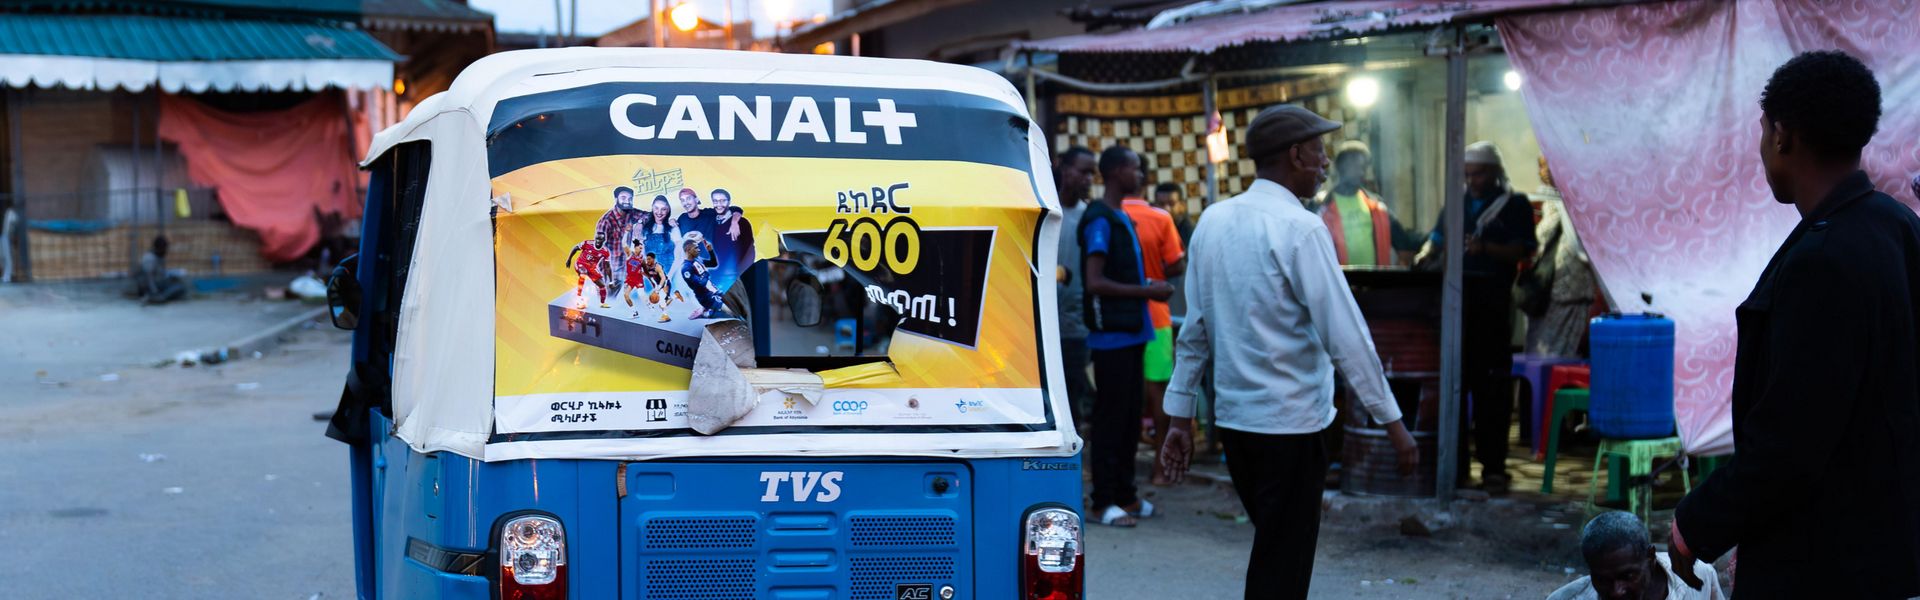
629, 212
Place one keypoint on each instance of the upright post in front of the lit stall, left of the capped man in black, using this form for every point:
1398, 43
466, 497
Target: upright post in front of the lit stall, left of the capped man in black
1454, 226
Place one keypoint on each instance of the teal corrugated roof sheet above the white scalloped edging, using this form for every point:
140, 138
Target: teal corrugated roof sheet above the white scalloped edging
183, 39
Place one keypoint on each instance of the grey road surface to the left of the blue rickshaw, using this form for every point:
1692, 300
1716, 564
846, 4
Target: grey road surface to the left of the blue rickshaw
249, 499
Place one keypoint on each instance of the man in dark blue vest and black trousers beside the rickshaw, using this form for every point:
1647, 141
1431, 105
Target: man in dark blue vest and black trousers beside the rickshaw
1115, 293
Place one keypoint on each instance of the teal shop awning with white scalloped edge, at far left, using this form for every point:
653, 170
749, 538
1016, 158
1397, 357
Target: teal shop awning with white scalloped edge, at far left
195, 55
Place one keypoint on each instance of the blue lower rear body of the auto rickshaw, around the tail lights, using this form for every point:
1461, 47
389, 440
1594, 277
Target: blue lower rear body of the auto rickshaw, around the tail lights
706, 530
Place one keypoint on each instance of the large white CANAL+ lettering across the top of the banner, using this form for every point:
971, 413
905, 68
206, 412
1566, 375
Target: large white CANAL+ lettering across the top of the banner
802, 120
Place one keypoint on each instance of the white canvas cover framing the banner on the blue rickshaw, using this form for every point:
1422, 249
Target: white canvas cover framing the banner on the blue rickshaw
446, 349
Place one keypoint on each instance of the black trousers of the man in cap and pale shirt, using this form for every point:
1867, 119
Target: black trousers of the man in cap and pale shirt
1280, 480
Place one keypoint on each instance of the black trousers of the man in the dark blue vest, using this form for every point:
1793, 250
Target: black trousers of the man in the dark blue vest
1116, 424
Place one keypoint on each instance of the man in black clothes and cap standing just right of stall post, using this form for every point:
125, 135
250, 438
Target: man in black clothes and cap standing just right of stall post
1500, 236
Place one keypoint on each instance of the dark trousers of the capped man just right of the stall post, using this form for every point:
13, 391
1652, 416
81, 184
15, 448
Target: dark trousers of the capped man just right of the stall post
1487, 372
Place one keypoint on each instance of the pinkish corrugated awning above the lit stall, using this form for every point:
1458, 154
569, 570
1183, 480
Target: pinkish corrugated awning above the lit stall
1299, 22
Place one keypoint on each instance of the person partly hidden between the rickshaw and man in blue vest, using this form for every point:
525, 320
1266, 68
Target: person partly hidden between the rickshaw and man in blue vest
1074, 180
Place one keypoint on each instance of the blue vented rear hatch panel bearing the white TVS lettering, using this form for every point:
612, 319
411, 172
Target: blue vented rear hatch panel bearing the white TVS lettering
796, 530
